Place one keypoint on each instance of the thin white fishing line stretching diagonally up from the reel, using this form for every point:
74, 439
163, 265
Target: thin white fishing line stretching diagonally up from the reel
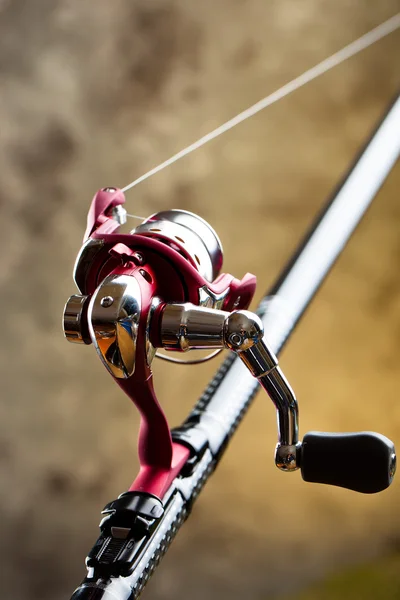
355, 47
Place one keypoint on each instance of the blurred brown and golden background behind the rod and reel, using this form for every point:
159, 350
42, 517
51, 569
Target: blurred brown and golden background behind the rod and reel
96, 93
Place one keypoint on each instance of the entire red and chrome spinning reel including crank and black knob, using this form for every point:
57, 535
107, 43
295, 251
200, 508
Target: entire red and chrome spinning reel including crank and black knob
160, 287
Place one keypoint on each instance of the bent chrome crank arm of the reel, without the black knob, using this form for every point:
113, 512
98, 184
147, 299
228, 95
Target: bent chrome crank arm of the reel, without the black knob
186, 326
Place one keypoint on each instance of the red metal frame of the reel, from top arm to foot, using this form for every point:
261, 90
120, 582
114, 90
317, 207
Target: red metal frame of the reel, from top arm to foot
170, 275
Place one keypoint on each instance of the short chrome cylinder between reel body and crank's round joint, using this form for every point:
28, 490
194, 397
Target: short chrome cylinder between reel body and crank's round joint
188, 327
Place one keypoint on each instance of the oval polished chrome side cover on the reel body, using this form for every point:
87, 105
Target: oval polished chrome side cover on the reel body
113, 326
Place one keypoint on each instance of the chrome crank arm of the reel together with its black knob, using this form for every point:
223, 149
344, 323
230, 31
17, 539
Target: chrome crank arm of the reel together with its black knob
363, 462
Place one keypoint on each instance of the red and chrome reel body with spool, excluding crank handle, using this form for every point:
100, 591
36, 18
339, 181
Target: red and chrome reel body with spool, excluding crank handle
125, 281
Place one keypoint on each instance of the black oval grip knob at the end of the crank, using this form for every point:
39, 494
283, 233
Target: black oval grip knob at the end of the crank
364, 462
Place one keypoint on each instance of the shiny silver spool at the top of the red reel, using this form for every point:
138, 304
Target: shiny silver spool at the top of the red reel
191, 235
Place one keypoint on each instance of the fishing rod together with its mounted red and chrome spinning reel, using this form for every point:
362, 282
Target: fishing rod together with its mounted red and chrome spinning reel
160, 287
